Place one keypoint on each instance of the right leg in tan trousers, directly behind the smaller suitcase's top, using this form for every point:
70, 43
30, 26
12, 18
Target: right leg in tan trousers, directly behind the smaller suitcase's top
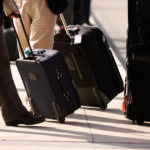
42, 27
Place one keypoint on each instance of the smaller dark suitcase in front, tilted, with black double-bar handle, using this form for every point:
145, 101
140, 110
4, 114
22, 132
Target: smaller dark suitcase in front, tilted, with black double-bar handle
49, 86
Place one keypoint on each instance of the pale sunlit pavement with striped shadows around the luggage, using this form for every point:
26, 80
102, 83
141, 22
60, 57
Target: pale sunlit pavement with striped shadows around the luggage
88, 128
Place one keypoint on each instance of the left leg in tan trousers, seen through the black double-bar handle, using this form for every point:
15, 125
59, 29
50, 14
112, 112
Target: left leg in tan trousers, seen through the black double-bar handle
24, 8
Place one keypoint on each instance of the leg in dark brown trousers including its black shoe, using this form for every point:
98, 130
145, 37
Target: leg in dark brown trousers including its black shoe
13, 111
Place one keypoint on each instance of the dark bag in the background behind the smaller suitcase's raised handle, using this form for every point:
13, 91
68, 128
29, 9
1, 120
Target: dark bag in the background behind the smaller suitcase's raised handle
11, 44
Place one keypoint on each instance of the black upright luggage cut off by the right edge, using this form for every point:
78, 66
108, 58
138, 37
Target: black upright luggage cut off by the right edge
138, 64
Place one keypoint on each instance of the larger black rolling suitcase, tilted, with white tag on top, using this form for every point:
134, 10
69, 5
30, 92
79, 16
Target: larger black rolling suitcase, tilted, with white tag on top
90, 63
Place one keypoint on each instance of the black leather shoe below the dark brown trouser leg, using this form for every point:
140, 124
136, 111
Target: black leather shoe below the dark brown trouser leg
27, 119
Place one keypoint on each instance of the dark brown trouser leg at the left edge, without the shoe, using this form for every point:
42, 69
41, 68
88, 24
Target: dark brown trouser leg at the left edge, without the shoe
10, 102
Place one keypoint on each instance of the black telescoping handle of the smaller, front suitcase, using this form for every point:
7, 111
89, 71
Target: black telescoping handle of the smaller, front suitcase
11, 20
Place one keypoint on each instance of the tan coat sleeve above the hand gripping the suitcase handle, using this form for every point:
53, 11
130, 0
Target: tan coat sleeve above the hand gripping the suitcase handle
9, 7
